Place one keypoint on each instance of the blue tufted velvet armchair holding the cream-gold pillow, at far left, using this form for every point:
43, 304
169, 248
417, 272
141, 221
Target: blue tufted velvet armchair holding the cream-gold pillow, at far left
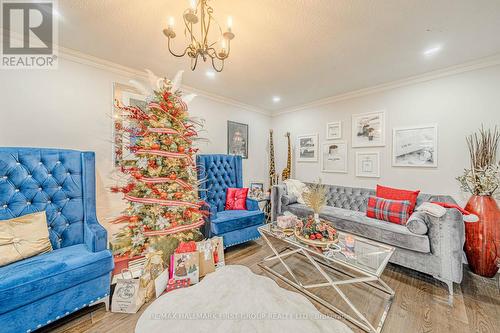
41, 289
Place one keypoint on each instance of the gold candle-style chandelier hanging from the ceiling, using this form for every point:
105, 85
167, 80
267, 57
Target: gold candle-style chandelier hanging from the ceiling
201, 13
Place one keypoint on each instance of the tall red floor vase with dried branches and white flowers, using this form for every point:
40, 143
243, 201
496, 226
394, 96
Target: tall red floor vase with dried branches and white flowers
482, 180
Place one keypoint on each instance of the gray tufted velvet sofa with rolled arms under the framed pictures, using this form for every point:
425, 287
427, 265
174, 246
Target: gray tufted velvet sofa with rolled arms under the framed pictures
439, 252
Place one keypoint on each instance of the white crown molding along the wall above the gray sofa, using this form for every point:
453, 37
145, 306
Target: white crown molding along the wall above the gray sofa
433, 75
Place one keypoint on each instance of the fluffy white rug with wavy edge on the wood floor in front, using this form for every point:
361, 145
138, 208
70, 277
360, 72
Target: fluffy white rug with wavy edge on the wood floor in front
233, 299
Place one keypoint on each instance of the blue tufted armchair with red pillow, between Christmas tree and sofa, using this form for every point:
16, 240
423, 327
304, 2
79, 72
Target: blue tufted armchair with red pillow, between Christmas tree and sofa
217, 173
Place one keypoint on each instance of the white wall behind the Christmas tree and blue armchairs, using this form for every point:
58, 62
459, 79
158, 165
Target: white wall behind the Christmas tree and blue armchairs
71, 108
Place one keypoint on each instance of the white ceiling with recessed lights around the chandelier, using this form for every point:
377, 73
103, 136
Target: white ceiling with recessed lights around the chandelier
301, 50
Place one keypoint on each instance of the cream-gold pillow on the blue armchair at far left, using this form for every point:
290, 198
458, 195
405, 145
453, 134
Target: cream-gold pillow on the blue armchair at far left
23, 237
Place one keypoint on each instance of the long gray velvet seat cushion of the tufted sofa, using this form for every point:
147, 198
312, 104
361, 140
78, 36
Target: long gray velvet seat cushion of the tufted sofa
359, 224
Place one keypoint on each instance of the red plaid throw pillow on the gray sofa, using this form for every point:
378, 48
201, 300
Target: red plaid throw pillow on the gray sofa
395, 211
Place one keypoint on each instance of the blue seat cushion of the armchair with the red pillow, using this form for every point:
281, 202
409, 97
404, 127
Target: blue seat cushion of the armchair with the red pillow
229, 220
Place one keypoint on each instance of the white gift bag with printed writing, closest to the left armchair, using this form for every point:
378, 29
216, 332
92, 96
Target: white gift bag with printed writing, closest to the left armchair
128, 296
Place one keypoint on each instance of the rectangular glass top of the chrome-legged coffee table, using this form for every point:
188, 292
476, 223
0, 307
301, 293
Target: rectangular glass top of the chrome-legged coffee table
366, 255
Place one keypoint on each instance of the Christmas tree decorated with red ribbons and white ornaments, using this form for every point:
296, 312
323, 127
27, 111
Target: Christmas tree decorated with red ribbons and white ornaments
159, 181
